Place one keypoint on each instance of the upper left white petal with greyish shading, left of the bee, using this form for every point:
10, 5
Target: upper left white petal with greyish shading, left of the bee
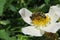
25, 13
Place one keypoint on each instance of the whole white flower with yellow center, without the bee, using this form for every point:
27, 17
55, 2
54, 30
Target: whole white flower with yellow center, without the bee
38, 28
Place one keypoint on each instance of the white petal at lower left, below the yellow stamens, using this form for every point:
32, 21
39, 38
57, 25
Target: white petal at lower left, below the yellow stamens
32, 31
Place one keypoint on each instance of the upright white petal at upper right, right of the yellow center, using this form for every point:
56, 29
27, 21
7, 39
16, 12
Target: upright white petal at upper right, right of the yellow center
53, 13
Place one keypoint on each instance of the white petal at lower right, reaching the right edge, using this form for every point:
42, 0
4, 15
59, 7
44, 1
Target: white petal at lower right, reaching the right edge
52, 27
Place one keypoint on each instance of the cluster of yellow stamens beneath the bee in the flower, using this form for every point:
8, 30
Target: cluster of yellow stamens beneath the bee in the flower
41, 21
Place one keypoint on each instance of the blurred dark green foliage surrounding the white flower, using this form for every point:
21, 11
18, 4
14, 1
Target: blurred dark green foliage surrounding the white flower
11, 21
